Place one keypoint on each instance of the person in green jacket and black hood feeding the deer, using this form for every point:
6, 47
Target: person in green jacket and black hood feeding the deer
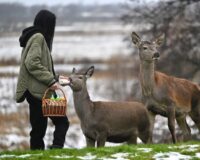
36, 75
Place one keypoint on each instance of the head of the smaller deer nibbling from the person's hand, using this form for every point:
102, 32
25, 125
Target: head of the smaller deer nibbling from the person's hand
78, 80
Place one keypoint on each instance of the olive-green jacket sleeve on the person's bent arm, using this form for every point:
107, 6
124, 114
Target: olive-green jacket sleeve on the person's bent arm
34, 65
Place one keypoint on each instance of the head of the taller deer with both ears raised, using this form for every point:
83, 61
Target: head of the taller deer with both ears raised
148, 51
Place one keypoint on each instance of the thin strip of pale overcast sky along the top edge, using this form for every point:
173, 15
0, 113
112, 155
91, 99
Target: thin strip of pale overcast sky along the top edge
53, 2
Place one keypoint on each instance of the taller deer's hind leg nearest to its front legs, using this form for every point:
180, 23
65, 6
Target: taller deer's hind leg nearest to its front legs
181, 120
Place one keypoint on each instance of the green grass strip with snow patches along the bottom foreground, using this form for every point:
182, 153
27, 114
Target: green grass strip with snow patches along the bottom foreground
181, 151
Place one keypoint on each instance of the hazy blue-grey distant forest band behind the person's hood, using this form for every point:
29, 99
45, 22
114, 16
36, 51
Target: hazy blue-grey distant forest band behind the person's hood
15, 16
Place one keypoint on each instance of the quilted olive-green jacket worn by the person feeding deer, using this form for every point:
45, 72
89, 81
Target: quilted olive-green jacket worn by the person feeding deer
36, 72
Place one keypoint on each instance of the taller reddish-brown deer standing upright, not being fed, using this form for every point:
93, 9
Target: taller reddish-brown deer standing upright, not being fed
165, 95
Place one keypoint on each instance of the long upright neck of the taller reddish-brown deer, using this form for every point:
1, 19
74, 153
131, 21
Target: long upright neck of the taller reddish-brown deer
147, 78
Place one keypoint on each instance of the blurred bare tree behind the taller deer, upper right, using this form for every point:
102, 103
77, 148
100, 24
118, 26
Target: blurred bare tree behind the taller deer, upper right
180, 21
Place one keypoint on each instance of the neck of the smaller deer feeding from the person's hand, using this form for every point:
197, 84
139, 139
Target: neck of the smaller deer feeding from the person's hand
83, 104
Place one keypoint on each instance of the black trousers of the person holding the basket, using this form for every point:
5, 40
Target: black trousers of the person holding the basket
39, 125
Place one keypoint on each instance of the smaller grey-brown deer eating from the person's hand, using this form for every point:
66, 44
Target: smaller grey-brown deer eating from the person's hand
108, 121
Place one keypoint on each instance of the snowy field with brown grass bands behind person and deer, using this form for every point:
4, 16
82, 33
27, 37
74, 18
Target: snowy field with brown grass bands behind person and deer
101, 46
